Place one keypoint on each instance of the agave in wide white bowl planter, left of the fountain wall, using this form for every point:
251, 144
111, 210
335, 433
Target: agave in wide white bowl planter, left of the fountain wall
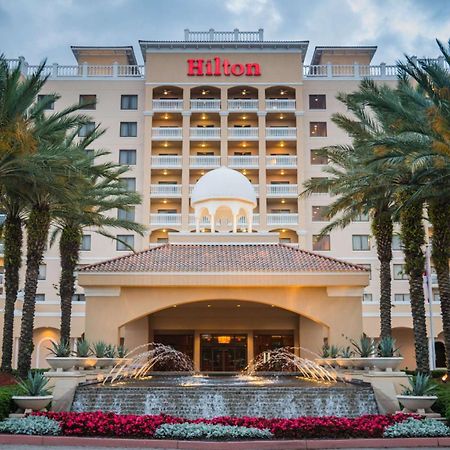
34, 393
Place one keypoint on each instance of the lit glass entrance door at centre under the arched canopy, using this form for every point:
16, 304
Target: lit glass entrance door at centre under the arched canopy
223, 353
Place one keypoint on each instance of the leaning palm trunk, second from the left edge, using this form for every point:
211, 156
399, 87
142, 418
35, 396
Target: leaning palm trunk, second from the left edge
37, 233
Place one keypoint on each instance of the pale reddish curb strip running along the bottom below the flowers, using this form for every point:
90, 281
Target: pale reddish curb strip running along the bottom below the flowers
50, 441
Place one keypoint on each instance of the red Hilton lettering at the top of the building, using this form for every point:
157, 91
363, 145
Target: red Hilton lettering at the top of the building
216, 67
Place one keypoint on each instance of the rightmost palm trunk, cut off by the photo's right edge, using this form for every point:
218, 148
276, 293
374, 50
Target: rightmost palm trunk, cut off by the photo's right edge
438, 213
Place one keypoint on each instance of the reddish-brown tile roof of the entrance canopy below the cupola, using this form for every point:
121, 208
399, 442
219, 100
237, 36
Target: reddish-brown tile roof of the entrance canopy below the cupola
198, 258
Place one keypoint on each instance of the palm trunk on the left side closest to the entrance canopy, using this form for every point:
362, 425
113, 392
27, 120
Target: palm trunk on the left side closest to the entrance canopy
69, 246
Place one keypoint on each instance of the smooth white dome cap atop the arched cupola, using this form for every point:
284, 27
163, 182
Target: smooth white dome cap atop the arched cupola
223, 183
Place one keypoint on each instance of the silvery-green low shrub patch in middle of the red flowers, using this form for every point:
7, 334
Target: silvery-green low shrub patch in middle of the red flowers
188, 431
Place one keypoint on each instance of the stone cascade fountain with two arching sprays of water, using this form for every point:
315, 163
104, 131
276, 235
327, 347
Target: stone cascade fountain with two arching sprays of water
277, 383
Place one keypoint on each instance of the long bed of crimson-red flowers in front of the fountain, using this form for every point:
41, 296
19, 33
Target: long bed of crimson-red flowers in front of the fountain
133, 426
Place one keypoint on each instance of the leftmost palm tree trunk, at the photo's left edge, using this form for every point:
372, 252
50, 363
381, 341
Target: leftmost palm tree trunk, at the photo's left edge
12, 261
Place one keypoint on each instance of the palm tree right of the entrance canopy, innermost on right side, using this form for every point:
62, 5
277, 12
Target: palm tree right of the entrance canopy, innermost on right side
360, 190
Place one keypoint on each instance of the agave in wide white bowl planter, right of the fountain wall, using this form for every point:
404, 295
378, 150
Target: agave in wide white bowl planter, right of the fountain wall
419, 395
